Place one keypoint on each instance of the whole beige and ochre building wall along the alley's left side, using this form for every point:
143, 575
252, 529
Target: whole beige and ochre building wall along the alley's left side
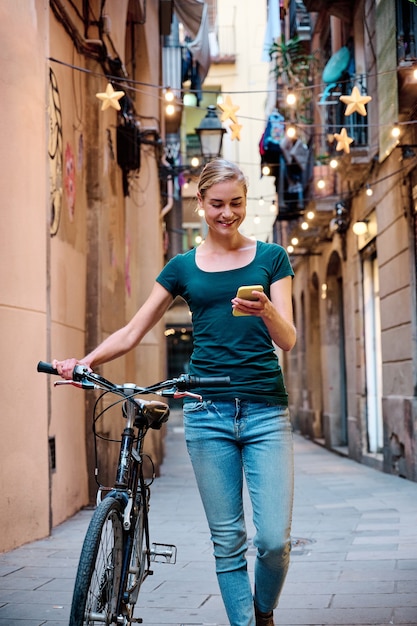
61, 294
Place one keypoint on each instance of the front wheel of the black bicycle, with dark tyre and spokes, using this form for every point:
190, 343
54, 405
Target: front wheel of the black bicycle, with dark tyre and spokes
98, 578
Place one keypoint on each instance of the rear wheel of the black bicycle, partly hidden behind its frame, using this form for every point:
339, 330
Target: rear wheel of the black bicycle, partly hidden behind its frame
137, 564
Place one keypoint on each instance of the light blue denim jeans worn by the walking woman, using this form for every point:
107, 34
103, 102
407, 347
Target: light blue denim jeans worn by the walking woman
226, 440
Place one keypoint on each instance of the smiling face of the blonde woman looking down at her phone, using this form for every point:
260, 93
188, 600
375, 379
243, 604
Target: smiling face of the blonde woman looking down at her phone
224, 206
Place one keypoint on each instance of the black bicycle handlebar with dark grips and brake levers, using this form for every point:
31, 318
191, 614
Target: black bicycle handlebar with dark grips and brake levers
182, 383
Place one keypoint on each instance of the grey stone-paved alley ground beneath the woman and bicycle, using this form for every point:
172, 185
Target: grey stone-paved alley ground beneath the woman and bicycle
354, 558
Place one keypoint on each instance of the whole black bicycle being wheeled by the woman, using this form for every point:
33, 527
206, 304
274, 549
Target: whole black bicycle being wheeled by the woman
117, 554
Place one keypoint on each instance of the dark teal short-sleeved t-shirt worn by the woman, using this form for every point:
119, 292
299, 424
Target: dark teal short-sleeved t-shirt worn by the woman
224, 344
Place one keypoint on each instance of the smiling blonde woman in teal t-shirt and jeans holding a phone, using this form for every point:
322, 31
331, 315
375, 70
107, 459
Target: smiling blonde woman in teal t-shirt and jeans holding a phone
243, 430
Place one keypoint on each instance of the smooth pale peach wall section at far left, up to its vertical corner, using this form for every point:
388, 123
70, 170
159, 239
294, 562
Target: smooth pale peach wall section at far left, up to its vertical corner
24, 416
